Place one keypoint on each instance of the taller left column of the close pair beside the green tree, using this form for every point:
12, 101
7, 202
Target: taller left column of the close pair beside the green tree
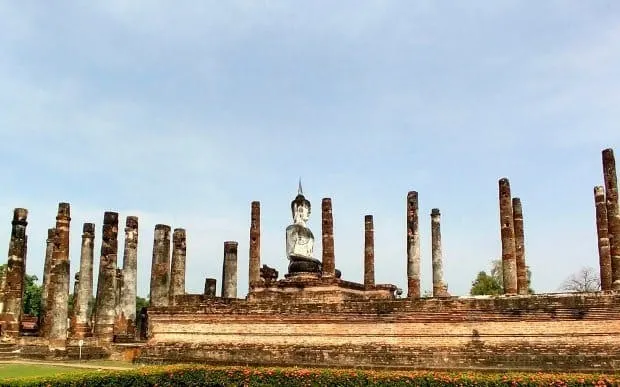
509, 263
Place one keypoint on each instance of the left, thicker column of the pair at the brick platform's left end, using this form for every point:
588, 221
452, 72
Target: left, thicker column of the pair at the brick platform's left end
160, 268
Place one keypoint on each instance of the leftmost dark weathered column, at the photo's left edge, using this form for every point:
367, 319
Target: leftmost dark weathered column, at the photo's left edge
16, 272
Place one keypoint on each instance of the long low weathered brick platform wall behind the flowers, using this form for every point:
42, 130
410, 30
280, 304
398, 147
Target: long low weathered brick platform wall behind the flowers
553, 332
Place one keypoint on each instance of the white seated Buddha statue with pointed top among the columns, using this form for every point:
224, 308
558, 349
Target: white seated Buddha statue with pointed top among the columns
299, 238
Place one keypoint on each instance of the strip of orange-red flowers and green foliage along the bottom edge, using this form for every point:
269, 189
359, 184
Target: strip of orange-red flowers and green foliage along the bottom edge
197, 375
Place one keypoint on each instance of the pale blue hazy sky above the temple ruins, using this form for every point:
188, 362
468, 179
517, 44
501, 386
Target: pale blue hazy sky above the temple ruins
184, 112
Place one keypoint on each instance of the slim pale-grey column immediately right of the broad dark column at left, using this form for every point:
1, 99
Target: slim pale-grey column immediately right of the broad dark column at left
130, 275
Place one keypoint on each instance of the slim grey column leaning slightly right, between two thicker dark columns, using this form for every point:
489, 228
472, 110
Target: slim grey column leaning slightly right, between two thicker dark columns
84, 292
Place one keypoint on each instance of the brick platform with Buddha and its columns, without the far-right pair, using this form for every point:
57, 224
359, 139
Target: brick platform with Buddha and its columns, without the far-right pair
314, 317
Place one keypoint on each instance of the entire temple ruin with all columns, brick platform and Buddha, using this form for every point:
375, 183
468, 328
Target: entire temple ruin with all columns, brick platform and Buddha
312, 315
